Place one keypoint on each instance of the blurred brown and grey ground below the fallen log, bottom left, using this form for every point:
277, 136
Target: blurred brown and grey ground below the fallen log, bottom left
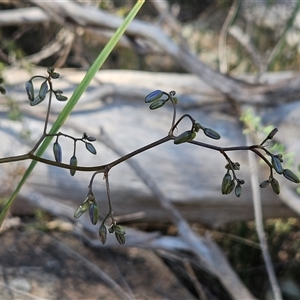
53, 265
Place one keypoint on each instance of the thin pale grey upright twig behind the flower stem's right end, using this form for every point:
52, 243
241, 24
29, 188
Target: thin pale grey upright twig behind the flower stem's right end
260, 225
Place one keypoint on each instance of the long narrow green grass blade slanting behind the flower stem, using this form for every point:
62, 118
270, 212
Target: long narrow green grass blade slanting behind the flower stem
73, 101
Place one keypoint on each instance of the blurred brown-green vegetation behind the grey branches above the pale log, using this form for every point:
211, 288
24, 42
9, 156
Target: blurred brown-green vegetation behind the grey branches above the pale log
267, 25
